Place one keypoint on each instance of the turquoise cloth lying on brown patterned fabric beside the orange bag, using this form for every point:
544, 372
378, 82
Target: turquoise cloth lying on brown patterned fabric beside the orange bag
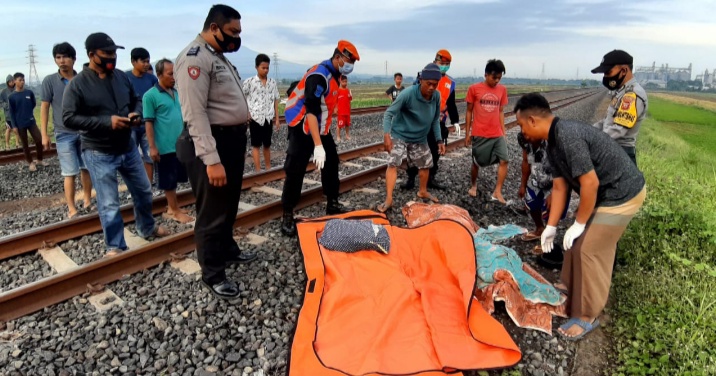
492, 257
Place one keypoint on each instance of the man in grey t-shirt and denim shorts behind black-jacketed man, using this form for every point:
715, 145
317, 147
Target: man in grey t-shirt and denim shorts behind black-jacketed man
67, 141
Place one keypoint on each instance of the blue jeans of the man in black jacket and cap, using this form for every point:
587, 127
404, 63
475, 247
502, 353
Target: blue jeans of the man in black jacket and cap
103, 170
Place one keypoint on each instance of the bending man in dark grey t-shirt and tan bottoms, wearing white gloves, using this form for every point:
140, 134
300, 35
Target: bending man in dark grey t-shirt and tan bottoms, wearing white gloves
611, 191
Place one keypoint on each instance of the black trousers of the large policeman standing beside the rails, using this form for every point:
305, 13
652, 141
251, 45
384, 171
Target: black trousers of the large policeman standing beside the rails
216, 207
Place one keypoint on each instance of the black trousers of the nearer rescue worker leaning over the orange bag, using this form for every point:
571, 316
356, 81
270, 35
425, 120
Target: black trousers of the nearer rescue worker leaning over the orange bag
300, 149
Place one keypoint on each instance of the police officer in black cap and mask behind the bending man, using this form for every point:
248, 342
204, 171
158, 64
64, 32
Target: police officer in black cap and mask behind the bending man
629, 102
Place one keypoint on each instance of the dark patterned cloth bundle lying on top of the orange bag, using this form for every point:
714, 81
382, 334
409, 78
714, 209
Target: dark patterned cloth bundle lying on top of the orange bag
346, 235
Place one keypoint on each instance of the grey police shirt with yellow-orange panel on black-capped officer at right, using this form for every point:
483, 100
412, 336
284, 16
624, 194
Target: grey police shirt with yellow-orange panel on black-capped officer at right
626, 112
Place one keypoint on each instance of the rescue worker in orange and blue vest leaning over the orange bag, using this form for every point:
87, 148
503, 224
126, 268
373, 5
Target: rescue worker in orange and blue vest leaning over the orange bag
308, 115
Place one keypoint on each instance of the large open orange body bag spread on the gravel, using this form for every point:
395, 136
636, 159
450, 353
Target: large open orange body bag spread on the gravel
408, 312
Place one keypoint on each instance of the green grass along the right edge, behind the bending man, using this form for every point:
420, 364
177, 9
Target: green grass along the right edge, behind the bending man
665, 300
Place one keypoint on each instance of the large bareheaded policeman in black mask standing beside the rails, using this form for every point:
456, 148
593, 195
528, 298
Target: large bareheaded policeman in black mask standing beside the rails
213, 144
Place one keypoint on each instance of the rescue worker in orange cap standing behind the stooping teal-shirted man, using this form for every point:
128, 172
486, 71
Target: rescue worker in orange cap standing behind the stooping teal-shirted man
448, 108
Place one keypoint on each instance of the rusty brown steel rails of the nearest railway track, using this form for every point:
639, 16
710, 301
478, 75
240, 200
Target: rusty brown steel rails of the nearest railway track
75, 281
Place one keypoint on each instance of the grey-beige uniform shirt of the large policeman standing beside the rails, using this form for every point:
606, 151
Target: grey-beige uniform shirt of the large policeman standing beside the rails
210, 93
